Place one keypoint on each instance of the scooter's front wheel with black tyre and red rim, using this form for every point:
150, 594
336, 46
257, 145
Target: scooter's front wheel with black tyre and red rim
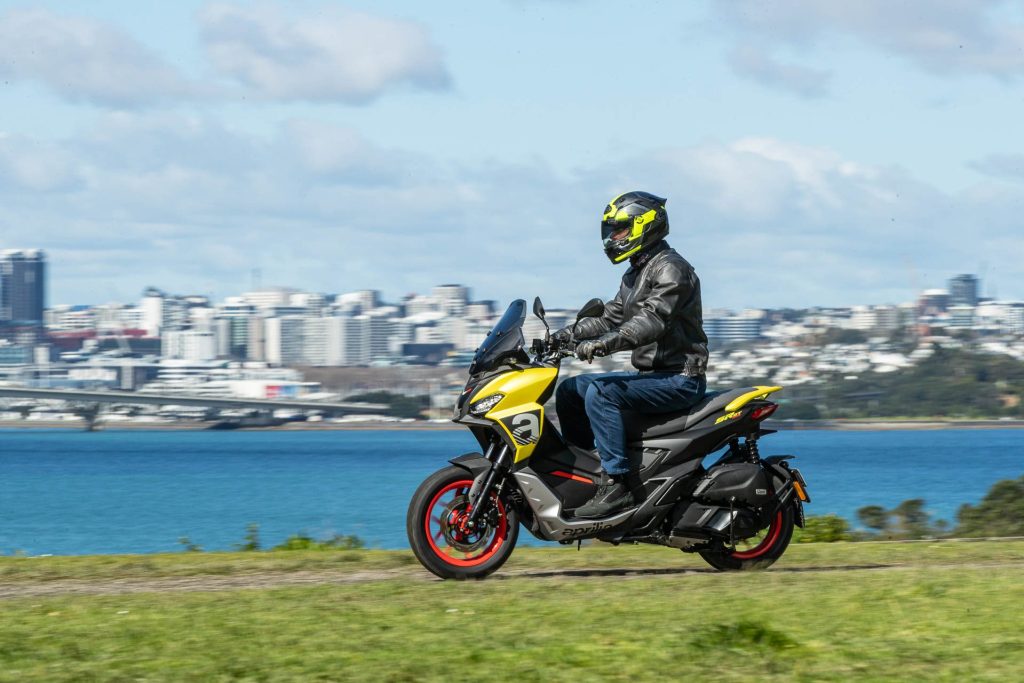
438, 533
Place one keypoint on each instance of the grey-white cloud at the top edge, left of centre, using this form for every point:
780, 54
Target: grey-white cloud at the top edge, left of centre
333, 56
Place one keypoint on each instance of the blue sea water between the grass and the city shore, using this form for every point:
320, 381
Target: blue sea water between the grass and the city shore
71, 493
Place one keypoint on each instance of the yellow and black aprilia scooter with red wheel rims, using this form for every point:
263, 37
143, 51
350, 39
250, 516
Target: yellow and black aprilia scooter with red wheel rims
739, 514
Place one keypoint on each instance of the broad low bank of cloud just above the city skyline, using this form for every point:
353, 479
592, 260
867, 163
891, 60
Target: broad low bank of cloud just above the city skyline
190, 204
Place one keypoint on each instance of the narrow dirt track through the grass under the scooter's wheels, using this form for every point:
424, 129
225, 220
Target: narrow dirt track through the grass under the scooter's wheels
297, 579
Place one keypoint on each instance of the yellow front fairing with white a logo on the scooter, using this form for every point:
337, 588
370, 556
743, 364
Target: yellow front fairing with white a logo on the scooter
521, 412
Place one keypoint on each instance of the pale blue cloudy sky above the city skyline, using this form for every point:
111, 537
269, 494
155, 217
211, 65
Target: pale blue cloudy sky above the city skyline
814, 153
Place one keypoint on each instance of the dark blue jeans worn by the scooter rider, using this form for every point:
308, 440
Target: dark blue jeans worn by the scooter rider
590, 408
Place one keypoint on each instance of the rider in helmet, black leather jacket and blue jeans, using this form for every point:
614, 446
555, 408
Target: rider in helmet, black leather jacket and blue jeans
657, 314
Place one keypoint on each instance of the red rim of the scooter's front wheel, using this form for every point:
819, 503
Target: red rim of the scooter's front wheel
449, 540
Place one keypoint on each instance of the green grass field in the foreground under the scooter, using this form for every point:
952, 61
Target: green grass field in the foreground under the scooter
925, 612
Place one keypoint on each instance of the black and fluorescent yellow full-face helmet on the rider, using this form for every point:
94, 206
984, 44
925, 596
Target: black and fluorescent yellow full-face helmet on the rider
632, 223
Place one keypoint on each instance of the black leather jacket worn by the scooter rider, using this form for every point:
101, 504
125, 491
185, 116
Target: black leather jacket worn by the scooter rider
657, 314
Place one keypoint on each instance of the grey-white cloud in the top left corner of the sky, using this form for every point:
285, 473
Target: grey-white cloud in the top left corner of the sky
83, 60
